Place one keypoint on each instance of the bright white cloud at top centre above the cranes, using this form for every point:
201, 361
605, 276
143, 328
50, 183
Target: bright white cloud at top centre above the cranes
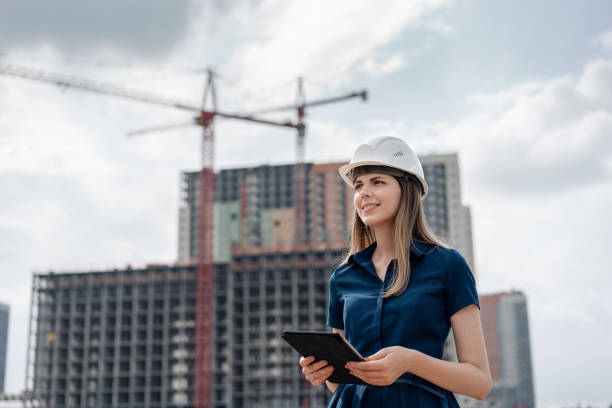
318, 39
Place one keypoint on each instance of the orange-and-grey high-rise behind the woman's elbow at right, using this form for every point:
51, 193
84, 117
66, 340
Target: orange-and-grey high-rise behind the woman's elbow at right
506, 331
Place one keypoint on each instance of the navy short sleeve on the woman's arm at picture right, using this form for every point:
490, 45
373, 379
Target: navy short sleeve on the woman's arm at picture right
460, 286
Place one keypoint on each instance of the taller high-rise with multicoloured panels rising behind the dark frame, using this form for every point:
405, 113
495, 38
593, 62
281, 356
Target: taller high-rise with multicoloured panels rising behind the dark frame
255, 207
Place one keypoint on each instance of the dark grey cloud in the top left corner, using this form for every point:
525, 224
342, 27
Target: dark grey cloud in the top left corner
148, 29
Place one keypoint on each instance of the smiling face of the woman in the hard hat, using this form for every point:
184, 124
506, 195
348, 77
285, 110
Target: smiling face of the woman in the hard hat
377, 198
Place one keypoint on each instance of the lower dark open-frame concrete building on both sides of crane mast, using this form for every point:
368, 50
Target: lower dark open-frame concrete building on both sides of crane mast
126, 338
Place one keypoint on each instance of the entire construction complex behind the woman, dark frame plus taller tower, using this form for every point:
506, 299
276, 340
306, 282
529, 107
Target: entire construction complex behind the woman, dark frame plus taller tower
127, 338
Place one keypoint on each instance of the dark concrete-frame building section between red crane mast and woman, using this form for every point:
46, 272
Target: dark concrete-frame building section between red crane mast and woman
271, 291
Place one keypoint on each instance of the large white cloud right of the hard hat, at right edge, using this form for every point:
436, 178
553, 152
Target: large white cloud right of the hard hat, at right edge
538, 138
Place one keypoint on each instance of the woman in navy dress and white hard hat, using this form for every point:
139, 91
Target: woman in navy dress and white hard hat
398, 293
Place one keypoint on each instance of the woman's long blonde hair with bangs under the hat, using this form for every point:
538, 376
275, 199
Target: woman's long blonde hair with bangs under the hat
410, 225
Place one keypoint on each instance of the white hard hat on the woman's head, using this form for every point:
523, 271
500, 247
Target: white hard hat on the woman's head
386, 151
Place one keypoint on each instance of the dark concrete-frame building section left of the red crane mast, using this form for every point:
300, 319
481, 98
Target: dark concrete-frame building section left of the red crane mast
120, 338
